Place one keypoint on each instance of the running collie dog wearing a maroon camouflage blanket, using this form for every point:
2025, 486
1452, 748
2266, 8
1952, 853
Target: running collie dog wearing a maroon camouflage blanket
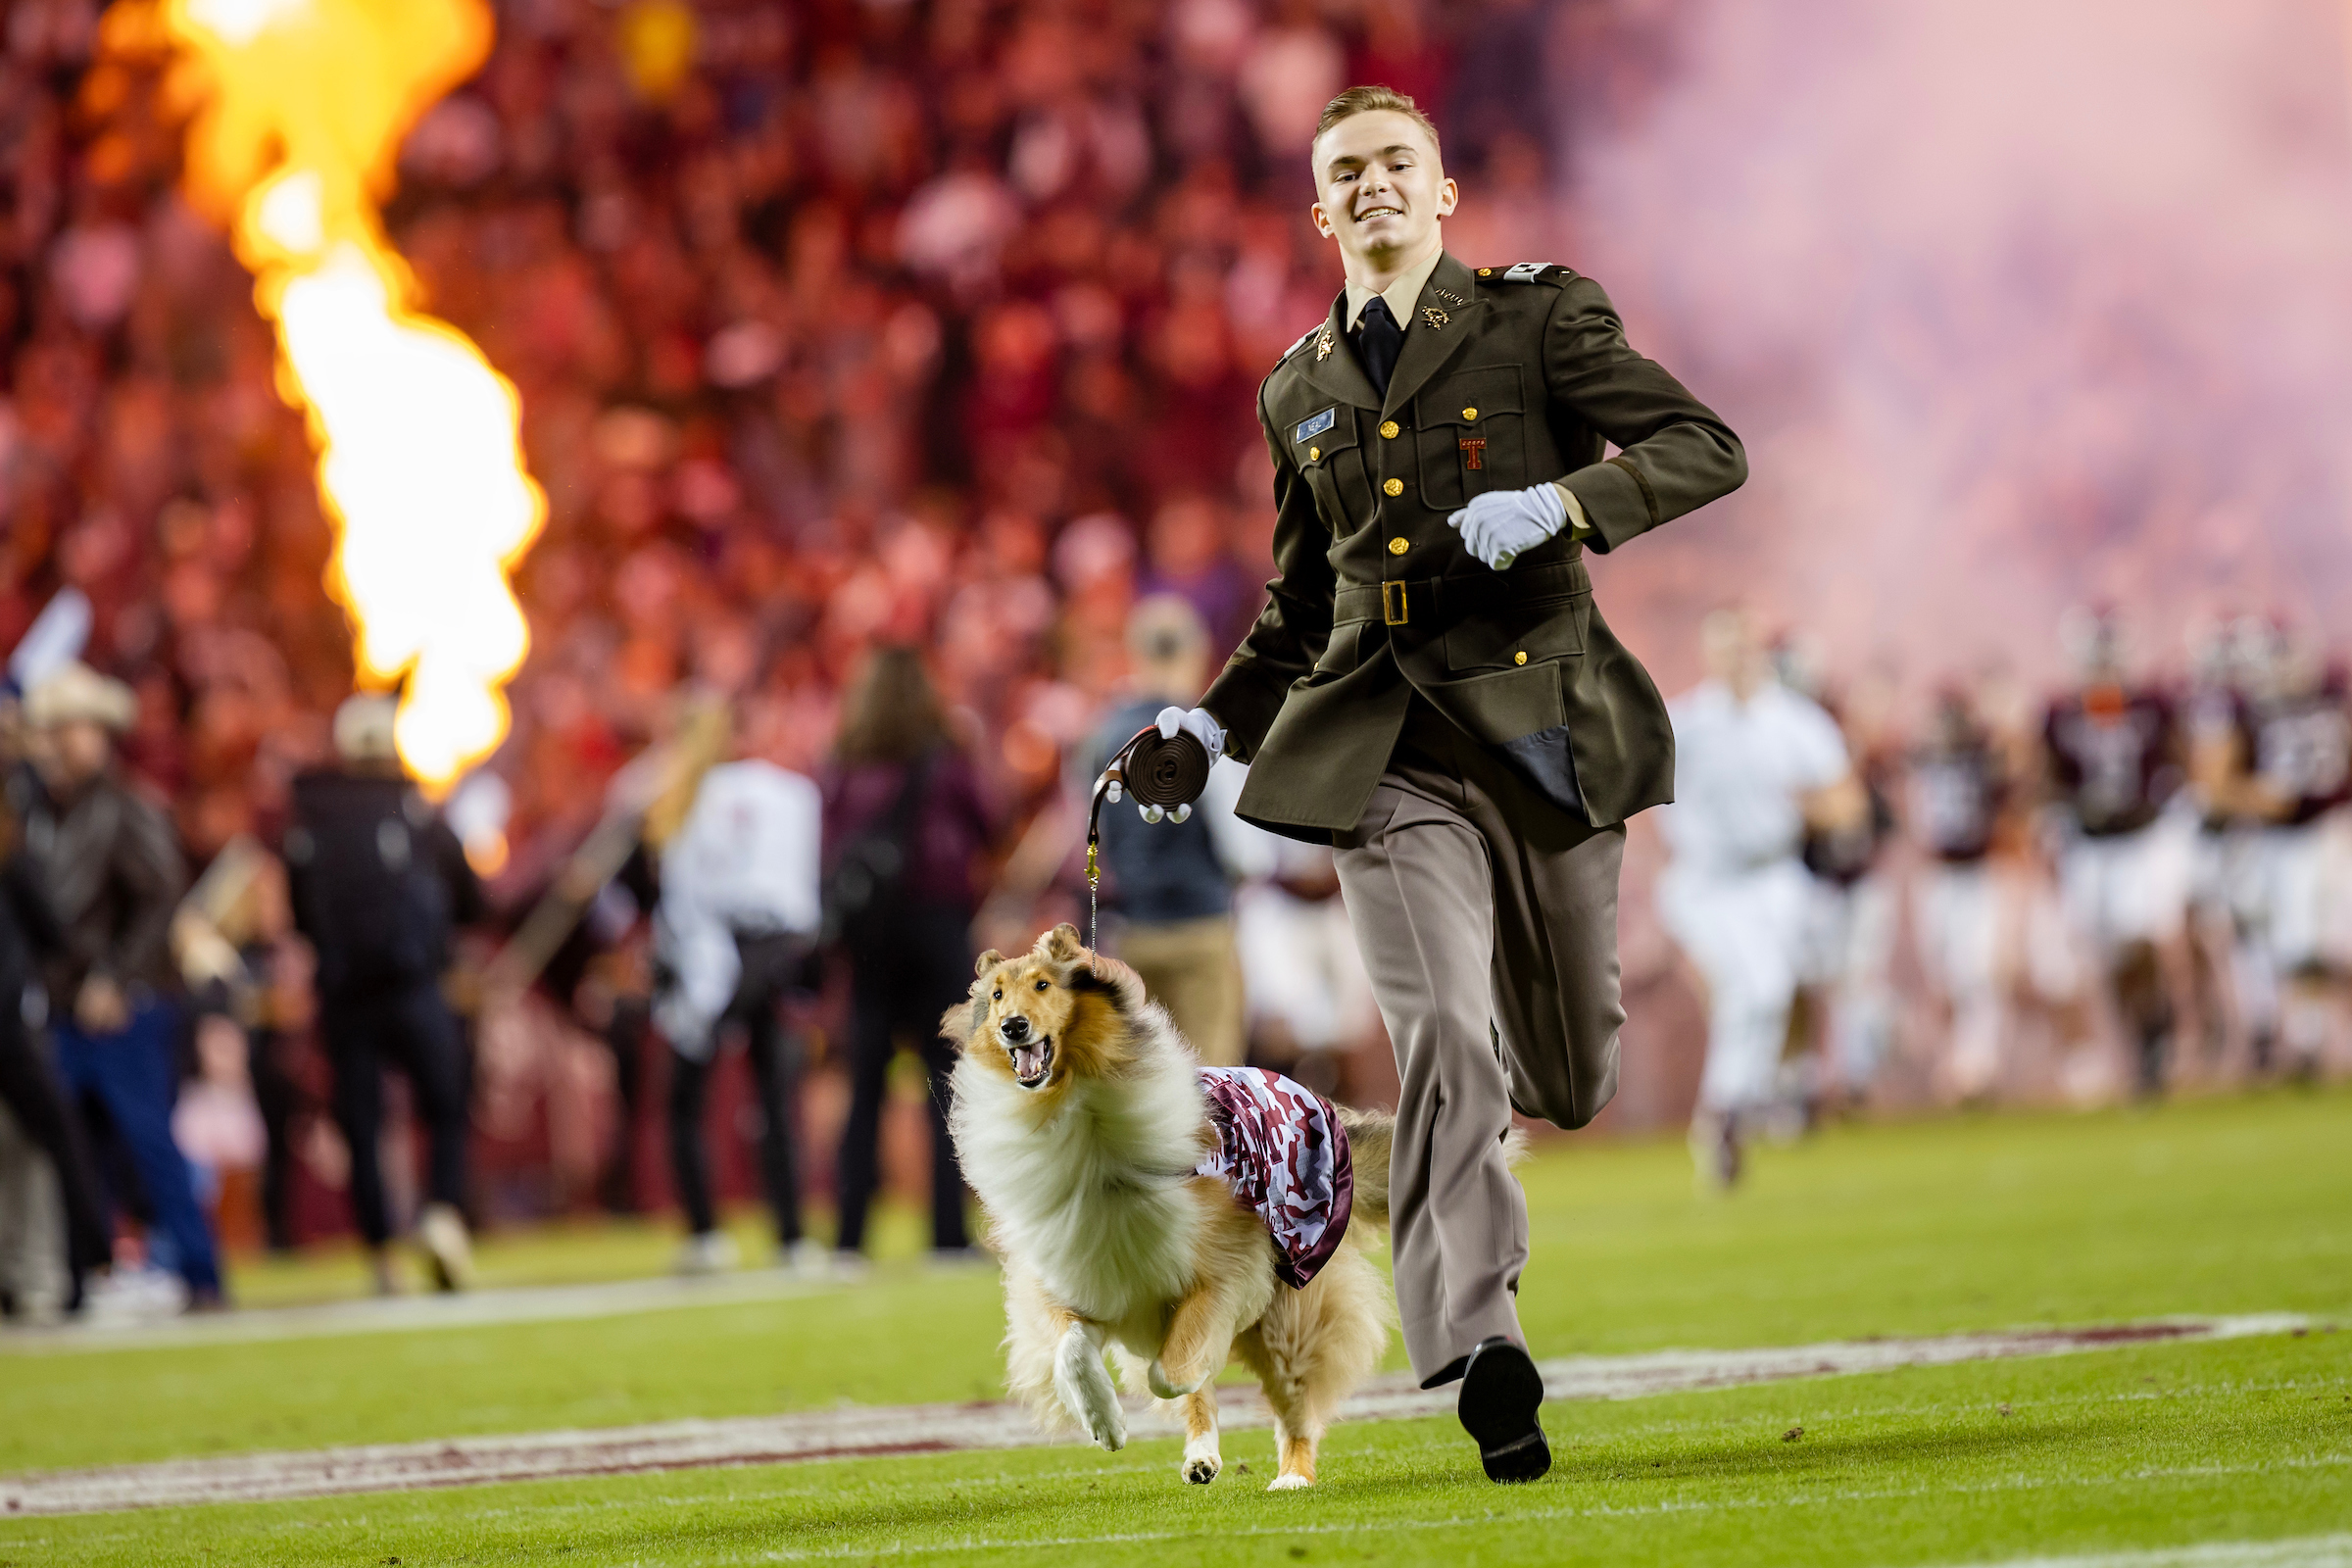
1083, 1125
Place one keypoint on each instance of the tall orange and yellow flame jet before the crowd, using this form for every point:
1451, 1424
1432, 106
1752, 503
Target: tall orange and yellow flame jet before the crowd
305, 107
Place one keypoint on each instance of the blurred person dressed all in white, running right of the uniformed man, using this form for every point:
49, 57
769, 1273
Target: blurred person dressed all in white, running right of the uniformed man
1753, 765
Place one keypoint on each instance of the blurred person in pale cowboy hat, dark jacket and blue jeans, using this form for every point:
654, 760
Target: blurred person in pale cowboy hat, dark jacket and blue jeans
114, 880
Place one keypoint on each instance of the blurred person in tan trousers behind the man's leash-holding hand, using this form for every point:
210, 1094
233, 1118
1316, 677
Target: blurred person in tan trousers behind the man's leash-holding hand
1170, 885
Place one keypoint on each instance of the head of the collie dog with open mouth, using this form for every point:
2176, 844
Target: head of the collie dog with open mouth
1041, 1017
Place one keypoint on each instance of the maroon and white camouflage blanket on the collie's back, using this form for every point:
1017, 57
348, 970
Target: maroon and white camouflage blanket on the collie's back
1285, 1155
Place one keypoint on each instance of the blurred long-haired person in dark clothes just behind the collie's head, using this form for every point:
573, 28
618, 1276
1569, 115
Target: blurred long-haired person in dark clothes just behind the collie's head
904, 833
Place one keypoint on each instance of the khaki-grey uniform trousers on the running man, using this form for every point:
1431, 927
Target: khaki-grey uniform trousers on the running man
1488, 920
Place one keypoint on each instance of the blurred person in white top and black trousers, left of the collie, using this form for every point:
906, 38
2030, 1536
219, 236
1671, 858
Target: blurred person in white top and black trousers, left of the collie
740, 913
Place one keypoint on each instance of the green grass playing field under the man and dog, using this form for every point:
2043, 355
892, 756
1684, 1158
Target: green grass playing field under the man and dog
1977, 1224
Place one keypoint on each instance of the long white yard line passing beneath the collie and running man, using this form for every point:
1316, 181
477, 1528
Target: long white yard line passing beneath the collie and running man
895, 1430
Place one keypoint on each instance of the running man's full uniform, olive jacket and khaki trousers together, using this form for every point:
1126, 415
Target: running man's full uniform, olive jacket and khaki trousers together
1469, 742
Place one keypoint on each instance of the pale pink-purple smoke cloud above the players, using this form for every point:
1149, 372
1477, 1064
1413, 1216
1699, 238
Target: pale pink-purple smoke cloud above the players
2017, 304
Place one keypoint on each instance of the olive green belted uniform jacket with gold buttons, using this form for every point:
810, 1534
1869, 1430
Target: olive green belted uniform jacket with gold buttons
1509, 377
